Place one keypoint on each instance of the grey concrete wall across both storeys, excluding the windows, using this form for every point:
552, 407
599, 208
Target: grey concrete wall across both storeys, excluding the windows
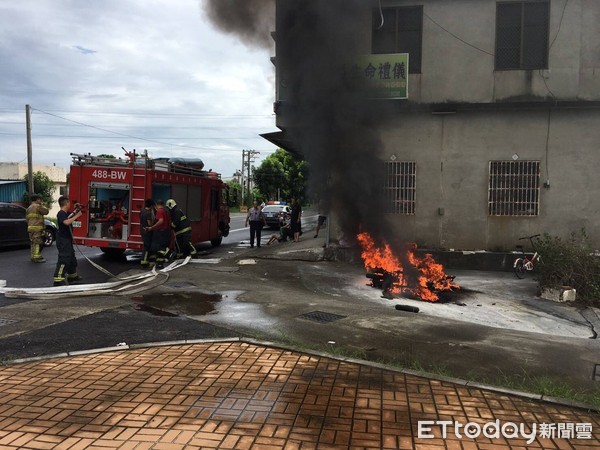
543, 115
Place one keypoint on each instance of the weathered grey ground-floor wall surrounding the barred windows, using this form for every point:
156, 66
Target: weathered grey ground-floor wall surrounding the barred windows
453, 154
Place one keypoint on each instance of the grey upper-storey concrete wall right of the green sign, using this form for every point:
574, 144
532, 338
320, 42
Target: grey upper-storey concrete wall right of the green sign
457, 71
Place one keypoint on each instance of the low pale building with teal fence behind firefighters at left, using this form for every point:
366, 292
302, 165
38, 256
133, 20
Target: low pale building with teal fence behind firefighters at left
14, 186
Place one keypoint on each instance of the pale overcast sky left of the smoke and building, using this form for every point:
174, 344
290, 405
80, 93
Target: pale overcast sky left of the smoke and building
141, 74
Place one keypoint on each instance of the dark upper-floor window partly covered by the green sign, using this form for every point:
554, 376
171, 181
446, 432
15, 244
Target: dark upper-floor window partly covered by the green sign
401, 32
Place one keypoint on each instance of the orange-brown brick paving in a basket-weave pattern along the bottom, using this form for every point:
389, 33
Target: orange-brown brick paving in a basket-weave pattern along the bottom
235, 395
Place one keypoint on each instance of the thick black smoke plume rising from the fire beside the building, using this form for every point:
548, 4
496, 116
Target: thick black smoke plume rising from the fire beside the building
331, 122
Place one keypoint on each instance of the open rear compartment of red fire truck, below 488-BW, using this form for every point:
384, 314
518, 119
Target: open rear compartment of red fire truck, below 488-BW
108, 210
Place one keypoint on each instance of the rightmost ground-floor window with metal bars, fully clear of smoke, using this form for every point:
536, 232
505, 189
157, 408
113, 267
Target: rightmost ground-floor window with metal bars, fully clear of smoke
514, 188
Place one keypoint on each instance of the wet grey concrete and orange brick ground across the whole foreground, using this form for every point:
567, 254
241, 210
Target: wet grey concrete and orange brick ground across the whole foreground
193, 363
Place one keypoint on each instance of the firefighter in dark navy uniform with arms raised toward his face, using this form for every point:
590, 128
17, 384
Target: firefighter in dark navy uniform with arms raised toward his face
66, 266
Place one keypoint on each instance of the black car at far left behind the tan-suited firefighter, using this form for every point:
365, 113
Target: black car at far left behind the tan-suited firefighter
13, 227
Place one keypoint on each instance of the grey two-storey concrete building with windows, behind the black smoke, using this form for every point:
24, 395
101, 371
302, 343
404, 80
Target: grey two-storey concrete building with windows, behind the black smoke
498, 134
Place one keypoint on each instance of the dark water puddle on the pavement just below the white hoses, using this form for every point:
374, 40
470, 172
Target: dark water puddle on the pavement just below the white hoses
177, 303
